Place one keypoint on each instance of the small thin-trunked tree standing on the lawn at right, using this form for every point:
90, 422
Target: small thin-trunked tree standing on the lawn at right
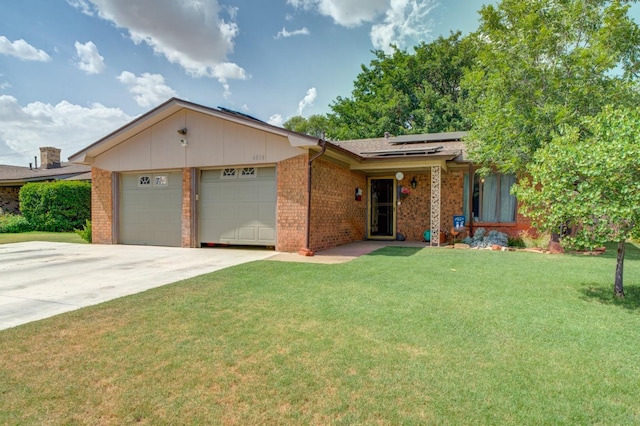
588, 179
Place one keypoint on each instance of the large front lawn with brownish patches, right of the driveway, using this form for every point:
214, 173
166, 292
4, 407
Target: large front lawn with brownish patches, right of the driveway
401, 336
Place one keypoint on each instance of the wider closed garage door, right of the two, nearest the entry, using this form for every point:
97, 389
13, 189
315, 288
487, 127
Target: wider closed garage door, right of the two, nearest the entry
238, 206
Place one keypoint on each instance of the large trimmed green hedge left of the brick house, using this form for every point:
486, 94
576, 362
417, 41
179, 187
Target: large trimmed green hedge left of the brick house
56, 206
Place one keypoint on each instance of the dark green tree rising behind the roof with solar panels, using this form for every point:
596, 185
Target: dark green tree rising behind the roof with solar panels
403, 93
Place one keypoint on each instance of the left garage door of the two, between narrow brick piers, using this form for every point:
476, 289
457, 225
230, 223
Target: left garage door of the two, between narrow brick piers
151, 209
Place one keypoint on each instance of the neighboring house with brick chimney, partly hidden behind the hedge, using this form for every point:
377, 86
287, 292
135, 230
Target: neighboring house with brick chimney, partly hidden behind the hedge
12, 178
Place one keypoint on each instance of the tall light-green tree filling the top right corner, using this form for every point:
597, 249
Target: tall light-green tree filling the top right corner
543, 65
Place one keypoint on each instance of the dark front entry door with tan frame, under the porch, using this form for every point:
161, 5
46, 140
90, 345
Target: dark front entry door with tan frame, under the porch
382, 208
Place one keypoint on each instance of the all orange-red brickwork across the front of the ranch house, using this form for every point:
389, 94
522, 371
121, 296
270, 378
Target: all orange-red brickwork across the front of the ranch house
336, 216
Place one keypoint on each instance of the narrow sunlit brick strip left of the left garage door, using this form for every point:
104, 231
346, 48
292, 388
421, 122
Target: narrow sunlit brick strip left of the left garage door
101, 206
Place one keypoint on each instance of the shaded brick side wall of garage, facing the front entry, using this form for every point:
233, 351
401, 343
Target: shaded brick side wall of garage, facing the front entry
336, 217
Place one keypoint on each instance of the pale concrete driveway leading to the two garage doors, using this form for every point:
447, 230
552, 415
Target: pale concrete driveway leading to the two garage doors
41, 279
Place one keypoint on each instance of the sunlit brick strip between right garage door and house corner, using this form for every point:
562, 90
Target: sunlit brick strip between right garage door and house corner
292, 204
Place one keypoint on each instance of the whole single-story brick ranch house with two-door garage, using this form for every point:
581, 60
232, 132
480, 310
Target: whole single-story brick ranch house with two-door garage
188, 175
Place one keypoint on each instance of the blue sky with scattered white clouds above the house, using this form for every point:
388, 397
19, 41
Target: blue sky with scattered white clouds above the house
72, 71
